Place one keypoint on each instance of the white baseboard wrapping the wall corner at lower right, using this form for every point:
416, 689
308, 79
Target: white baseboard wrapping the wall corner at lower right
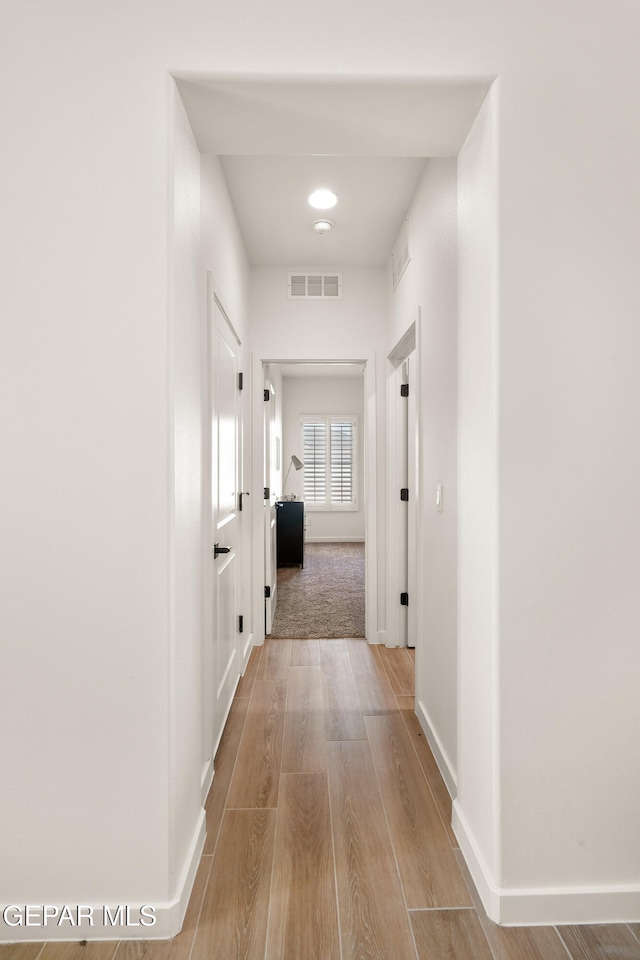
544, 906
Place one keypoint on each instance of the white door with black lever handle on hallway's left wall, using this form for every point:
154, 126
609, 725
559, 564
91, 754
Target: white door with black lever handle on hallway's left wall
225, 521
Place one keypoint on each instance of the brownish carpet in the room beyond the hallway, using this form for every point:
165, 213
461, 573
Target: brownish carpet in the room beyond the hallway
326, 597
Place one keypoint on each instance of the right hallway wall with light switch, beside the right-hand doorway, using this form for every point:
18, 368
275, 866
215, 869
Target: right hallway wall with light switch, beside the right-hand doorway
430, 283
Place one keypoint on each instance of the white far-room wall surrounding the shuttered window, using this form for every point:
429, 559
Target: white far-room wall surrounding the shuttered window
323, 396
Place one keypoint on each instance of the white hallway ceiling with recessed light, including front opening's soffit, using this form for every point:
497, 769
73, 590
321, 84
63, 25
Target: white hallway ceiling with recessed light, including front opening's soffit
366, 141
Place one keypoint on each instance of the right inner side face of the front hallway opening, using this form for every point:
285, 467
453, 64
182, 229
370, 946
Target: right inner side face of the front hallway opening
477, 810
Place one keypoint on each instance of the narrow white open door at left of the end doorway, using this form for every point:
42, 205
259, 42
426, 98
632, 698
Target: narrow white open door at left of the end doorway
270, 468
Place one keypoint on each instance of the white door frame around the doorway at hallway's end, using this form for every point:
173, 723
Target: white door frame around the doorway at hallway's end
373, 633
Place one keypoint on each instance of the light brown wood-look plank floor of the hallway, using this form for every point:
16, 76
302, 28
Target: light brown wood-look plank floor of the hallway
328, 832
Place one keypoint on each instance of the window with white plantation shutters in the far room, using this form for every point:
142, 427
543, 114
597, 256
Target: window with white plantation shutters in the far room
329, 447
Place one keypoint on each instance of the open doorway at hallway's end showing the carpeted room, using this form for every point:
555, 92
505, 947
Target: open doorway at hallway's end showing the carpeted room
315, 474
